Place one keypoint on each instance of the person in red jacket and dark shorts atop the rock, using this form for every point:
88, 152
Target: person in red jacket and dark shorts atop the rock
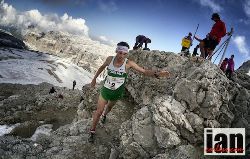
213, 38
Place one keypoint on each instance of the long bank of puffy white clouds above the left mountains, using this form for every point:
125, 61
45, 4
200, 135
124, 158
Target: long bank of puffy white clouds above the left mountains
44, 22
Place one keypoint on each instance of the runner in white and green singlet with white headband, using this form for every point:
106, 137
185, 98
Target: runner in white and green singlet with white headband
113, 88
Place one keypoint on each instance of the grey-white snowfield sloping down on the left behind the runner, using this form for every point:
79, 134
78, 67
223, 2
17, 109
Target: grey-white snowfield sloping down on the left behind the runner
28, 67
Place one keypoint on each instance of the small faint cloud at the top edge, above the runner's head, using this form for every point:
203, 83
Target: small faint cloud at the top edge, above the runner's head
107, 5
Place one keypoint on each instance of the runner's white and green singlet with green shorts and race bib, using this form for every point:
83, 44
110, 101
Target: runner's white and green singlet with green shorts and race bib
114, 84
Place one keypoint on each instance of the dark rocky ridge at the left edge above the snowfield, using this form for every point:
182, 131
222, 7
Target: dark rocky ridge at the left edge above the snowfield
7, 40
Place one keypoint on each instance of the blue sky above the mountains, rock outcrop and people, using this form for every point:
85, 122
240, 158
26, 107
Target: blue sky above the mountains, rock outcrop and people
166, 22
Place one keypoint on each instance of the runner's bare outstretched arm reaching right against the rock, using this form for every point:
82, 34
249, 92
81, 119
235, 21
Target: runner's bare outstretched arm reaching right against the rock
132, 64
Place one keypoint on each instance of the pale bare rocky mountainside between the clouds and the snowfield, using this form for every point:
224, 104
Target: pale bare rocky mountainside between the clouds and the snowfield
82, 51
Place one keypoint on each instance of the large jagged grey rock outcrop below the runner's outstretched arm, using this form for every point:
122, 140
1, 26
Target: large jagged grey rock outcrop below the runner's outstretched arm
177, 109
